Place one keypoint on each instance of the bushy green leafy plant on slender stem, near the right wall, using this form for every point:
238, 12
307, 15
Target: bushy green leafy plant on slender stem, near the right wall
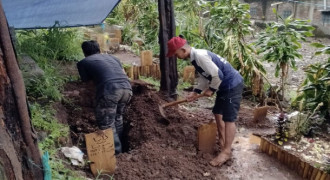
280, 43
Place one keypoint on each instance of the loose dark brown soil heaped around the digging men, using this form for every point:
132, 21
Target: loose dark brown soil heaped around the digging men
155, 148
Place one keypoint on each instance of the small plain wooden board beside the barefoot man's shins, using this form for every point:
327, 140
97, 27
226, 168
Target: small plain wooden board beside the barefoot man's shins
207, 134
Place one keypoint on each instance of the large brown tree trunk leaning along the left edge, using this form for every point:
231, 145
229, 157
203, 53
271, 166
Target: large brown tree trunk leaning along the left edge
19, 153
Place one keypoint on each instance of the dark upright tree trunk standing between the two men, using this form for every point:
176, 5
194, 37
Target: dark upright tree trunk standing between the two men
168, 66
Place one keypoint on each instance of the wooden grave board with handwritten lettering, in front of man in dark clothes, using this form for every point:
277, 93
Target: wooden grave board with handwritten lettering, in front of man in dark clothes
101, 152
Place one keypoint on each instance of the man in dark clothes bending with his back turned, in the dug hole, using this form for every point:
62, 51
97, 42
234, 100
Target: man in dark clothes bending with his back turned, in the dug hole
113, 89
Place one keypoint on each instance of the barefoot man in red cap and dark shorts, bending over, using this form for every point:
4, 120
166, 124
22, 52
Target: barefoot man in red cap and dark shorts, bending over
216, 76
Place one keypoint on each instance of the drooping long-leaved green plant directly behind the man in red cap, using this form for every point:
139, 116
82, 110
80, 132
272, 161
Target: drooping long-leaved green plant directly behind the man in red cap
225, 33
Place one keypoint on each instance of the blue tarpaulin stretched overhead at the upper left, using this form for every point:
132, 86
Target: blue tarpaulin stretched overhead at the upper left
32, 14
